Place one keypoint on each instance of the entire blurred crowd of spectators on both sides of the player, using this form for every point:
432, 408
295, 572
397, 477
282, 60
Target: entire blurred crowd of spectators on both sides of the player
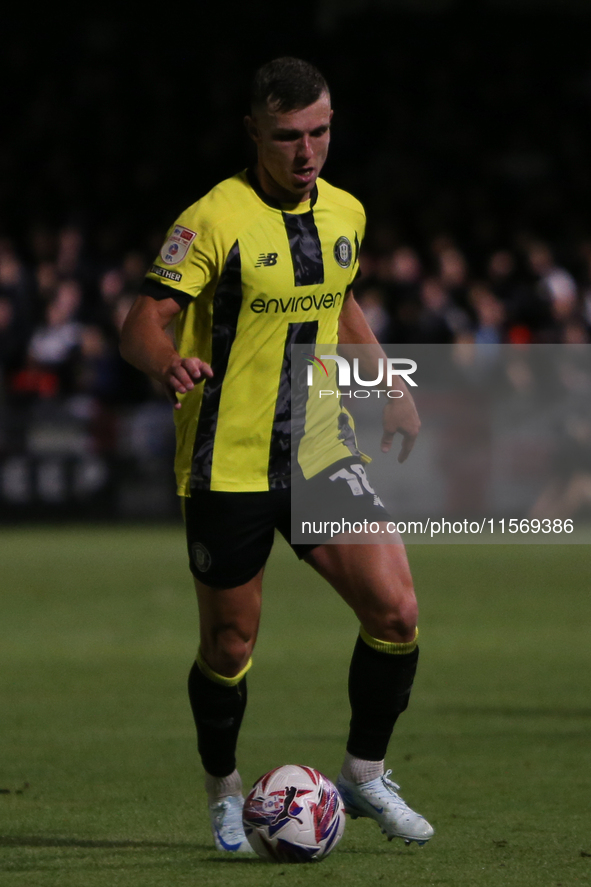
60, 314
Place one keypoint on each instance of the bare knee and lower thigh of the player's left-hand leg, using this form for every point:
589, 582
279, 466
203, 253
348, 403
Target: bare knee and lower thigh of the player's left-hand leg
229, 622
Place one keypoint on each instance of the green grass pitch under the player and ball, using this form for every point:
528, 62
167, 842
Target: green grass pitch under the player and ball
98, 770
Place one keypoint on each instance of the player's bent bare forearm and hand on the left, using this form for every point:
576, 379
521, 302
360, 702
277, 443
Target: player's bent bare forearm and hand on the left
146, 345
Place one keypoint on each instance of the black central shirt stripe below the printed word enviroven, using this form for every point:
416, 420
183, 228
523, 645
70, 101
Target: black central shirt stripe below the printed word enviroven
290, 417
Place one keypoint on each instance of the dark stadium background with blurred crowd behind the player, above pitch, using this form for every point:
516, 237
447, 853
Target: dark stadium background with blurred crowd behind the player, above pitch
464, 132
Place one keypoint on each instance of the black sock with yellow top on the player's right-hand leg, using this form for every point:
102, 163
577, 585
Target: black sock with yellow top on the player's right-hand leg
380, 680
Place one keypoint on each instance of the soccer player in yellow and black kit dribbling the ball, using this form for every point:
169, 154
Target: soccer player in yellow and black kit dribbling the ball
234, 274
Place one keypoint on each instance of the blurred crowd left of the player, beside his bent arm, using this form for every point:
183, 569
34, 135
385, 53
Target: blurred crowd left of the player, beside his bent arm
60, 318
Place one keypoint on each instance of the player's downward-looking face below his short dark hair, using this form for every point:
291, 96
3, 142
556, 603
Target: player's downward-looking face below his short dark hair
292, 147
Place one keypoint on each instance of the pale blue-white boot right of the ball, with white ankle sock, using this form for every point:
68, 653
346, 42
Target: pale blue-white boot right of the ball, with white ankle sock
379, 800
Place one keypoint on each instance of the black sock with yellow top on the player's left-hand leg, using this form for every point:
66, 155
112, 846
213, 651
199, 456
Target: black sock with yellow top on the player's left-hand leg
218, 705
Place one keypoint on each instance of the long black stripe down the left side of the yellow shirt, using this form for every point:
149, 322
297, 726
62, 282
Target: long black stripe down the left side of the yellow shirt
226, 308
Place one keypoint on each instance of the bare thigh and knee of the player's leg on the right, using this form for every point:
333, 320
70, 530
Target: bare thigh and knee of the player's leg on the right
375, 581
